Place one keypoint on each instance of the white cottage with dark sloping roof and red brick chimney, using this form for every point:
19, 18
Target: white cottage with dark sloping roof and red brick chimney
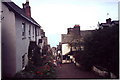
18, 30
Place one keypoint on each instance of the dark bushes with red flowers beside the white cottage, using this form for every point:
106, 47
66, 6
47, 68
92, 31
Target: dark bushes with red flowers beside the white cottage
38, 66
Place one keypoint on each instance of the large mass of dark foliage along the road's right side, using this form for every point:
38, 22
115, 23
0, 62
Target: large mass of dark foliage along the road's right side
102, 49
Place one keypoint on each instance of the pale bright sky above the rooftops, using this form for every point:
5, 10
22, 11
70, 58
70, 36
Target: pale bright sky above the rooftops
55, 16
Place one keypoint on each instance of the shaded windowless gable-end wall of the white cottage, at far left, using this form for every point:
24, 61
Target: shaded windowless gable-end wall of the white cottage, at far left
8, 43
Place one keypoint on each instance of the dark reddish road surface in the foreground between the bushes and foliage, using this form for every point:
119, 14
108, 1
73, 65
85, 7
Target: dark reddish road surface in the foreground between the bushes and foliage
69, 70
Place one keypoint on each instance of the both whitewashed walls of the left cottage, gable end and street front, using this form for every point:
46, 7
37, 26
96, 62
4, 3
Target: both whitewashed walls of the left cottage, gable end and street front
13, 44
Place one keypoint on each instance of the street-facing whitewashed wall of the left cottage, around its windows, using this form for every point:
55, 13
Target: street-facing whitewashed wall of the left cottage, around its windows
22, 44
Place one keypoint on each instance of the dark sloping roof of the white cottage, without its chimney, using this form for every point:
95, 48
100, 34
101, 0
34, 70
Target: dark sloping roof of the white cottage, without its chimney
17, 10
